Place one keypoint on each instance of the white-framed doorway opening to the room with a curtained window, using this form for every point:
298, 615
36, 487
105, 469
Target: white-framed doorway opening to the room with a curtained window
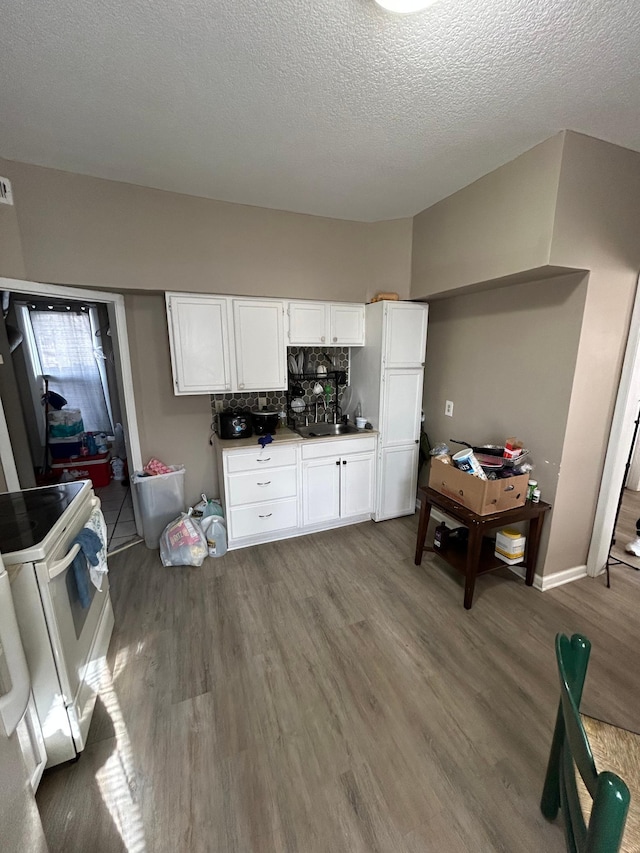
69, 371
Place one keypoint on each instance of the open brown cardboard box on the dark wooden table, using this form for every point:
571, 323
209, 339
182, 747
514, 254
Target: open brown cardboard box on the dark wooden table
480, 496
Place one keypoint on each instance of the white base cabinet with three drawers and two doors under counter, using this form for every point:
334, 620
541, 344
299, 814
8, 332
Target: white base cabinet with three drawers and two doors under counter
287, 490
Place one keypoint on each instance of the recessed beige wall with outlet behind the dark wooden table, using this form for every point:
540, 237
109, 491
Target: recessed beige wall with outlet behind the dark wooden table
506, 358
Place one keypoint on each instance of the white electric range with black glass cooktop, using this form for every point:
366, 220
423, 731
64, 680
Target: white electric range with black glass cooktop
65, 643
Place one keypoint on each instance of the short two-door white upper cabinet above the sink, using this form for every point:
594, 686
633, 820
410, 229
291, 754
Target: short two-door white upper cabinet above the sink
326, 324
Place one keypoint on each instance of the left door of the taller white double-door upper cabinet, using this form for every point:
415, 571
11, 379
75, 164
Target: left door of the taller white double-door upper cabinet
199, 343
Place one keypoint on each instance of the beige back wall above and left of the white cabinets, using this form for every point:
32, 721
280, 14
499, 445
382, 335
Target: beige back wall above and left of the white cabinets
90, 232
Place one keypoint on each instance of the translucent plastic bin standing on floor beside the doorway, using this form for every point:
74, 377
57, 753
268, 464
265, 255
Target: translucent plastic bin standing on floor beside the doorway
161, 500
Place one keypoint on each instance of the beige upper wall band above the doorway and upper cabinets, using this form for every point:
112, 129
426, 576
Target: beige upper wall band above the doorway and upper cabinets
87, 231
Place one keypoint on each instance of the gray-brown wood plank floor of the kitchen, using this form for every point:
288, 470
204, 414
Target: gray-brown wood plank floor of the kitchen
324, 694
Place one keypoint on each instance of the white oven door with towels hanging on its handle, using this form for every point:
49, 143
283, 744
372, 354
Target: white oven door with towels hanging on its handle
79, 635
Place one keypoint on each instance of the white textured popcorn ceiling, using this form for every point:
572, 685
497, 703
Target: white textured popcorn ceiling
332, 107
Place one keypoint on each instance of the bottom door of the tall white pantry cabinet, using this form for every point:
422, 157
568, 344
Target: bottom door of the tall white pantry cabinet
398, 472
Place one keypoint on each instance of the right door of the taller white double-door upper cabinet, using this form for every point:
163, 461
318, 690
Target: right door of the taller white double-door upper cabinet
260, 347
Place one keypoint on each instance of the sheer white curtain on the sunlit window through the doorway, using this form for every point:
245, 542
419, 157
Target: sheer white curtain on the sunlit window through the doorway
66, 347
